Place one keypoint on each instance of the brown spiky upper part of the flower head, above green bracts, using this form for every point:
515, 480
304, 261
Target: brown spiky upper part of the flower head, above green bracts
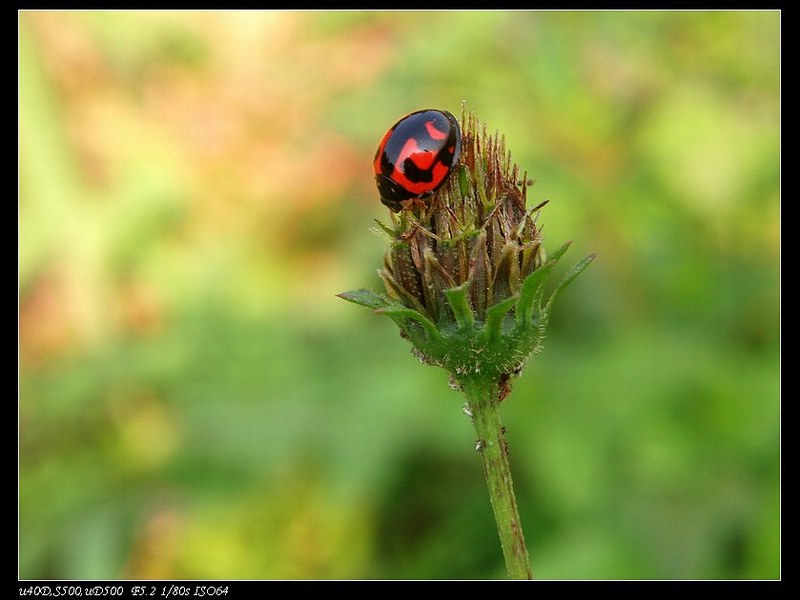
476, 229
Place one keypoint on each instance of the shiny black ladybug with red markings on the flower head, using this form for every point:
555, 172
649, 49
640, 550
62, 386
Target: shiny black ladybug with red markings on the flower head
416, 156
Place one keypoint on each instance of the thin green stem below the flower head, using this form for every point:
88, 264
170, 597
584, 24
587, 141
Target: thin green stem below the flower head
483, 399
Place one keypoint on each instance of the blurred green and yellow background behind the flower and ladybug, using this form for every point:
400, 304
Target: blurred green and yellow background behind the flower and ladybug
195, 402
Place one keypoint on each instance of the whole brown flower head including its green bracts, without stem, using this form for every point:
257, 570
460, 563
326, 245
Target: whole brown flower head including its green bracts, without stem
465, 266
